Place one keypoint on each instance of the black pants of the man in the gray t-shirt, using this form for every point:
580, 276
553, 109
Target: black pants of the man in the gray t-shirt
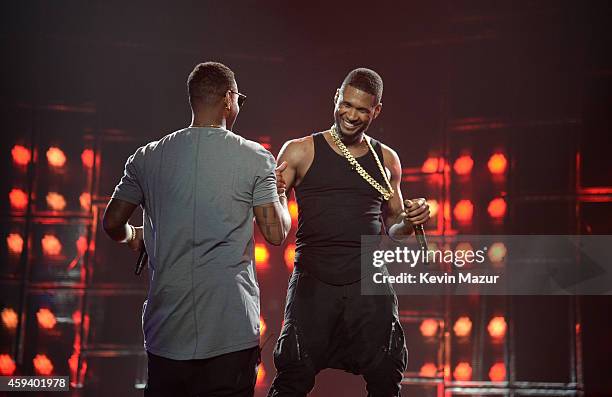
232, 374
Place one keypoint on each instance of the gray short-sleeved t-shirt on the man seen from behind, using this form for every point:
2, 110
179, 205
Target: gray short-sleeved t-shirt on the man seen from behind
198, 187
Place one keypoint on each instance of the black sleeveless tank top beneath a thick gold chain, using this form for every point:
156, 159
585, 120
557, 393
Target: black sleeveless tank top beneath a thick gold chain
336, 207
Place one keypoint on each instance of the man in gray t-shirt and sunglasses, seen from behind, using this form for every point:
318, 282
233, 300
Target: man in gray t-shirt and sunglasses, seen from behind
200, 188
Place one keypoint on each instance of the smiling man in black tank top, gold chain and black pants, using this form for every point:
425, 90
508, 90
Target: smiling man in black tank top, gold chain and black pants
328, 323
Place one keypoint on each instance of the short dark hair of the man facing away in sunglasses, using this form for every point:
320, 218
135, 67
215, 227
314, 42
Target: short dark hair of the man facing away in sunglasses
209, 81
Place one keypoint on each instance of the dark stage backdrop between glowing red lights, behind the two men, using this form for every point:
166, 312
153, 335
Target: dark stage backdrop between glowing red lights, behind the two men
531, 79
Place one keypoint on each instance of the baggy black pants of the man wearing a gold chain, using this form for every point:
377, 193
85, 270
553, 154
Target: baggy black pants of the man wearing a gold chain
329, 326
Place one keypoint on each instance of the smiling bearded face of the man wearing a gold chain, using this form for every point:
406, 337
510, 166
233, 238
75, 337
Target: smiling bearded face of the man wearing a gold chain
353, 112
